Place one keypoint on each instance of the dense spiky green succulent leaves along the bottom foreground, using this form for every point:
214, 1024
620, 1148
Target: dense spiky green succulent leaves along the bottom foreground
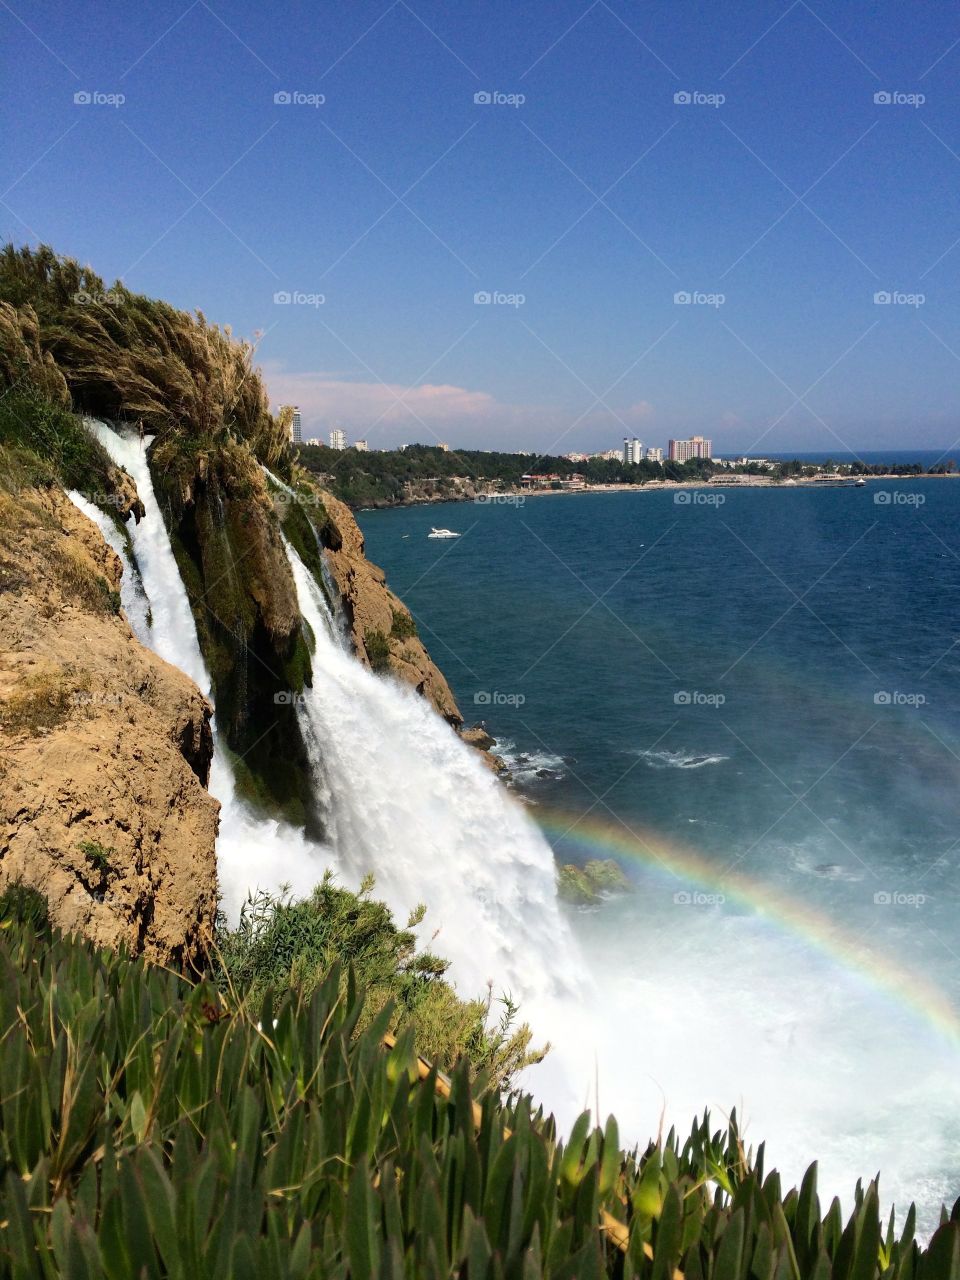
150, 1128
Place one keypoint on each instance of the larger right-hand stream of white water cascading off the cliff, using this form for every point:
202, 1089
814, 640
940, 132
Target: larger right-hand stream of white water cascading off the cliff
417, 807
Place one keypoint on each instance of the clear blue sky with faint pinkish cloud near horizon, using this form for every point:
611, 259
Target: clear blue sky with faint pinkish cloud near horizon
543, 226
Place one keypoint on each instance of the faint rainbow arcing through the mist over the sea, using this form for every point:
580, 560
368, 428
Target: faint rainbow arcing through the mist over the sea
674, 862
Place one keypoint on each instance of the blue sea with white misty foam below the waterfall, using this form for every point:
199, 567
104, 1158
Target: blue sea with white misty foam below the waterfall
751, 701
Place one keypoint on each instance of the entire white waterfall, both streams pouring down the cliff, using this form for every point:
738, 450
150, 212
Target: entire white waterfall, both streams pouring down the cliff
404, 799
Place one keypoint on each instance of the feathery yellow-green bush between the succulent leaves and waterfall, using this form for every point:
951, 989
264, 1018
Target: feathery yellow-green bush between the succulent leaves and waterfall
282, 943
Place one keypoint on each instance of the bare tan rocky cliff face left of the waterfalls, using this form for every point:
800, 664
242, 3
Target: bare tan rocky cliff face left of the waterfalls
106, 749
